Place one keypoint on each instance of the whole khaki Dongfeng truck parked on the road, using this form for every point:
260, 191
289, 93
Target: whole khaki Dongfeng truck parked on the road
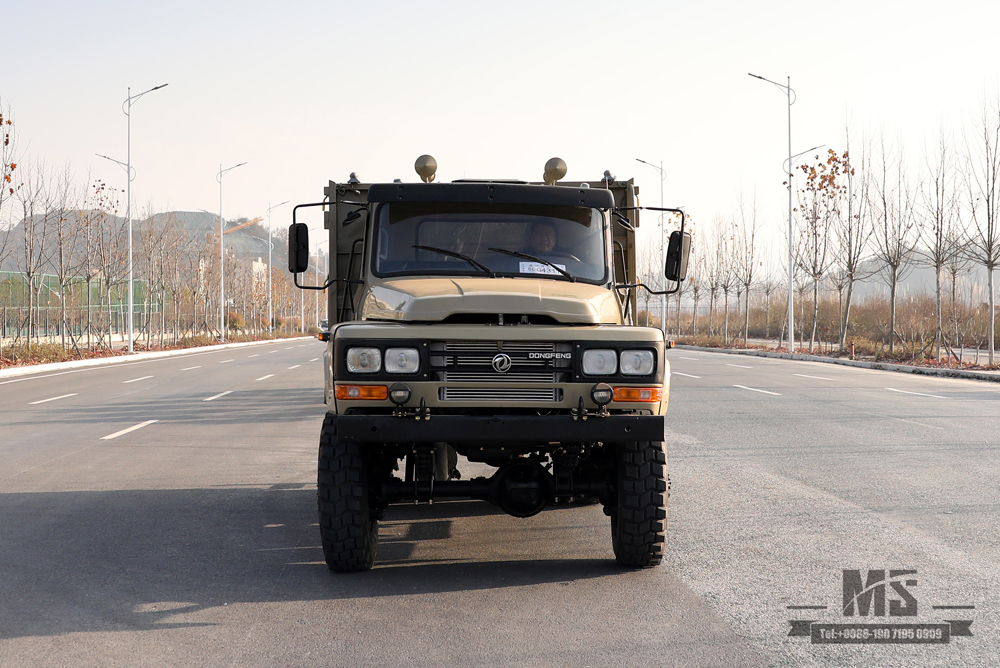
492, 320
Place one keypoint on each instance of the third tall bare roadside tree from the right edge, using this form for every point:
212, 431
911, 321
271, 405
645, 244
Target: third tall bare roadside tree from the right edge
896, 232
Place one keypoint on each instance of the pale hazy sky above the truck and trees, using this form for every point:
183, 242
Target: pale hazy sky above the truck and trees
307, 92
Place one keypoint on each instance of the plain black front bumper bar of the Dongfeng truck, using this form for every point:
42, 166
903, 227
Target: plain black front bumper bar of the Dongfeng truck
499, 429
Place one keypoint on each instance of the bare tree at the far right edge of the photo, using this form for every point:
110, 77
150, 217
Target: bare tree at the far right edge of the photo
983, 176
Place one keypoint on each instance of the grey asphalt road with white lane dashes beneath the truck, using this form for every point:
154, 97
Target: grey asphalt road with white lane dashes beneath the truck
163, 513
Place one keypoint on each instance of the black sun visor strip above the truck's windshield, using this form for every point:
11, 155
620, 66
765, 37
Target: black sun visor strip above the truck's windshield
502, 193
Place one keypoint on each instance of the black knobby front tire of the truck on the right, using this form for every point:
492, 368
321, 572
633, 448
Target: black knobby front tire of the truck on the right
639, 518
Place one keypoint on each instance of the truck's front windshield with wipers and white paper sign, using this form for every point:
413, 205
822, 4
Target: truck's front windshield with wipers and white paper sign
446, 238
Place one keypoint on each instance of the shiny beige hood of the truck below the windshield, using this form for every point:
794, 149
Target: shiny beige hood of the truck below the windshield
434, 299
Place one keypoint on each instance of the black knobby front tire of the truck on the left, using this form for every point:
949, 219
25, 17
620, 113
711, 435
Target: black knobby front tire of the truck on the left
348, 530
